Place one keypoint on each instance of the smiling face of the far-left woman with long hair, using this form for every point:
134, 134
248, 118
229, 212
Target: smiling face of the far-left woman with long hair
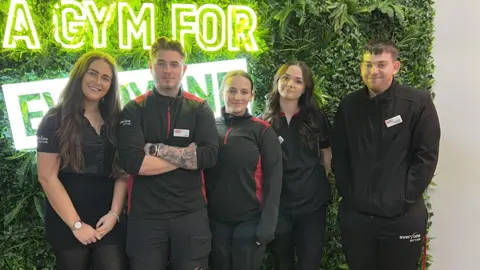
97, 80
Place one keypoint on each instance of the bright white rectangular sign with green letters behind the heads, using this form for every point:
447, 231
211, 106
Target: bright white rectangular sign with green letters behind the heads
28, 102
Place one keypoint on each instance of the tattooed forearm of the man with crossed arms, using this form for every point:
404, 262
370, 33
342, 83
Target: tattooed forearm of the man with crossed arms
181, 157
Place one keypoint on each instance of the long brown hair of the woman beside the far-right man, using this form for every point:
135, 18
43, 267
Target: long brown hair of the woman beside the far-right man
310, 115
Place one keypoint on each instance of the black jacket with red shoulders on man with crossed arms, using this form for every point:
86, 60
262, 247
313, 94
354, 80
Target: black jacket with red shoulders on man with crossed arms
153, 118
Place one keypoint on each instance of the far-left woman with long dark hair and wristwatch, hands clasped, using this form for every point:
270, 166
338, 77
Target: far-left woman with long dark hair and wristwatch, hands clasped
78, 171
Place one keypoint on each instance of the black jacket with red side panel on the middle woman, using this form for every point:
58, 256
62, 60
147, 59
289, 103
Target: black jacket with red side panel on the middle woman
247, 179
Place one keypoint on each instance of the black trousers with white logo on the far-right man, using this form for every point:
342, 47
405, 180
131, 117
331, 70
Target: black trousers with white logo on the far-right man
372, 243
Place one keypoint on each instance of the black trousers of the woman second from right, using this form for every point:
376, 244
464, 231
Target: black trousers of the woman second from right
300, 235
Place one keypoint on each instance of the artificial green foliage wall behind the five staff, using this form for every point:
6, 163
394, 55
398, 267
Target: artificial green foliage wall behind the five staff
327, 35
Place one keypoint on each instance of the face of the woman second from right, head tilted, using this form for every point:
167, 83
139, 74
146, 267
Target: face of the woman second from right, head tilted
291, 84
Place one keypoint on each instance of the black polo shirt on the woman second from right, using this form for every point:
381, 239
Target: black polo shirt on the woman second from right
305, 184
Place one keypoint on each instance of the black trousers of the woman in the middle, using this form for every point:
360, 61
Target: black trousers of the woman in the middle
234, 246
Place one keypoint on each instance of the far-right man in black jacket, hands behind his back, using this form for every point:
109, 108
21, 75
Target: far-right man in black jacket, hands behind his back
385, 144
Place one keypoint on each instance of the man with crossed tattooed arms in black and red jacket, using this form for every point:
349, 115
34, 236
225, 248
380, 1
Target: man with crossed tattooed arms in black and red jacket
166, 138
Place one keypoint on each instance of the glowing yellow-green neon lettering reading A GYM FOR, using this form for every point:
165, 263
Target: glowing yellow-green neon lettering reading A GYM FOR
211, 26
